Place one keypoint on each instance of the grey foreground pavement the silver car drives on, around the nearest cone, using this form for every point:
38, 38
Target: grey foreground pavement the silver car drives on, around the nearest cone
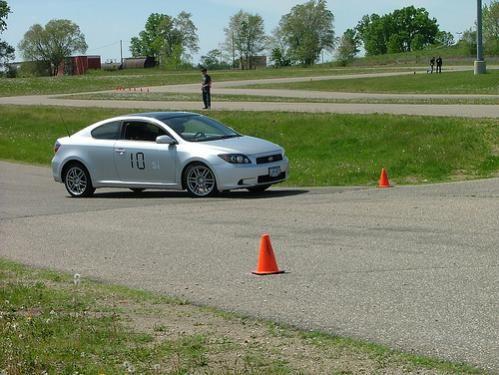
415, 268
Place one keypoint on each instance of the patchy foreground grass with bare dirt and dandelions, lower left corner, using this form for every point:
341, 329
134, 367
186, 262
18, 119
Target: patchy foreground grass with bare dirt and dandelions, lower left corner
51, 324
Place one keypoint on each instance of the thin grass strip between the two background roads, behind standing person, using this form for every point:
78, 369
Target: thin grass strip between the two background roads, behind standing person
279, 99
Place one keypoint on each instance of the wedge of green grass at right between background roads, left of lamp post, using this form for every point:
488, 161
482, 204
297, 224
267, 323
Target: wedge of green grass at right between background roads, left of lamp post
446, 83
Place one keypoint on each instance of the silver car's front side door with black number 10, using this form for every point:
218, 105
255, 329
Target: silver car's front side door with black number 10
140, 160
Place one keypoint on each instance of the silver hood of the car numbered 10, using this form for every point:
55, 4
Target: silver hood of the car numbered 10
244, 145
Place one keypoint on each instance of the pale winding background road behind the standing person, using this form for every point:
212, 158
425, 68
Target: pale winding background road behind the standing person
452, 110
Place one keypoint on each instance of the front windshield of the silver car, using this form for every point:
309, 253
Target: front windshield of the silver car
199, 128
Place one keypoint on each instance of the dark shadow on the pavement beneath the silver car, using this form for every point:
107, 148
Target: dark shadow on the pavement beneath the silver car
238, 194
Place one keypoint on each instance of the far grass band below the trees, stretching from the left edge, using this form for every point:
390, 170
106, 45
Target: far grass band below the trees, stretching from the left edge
99, 80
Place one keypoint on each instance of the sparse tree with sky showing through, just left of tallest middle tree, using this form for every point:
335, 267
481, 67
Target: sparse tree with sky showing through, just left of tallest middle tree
245, 37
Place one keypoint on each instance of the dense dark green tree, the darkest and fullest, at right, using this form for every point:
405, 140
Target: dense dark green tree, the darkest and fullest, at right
403, 30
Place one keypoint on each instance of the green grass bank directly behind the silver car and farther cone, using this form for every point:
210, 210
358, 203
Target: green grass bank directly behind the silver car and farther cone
324, 149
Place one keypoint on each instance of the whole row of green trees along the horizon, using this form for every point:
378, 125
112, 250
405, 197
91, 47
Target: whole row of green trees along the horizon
299, 39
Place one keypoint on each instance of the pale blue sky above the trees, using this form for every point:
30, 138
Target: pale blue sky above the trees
106, 22
